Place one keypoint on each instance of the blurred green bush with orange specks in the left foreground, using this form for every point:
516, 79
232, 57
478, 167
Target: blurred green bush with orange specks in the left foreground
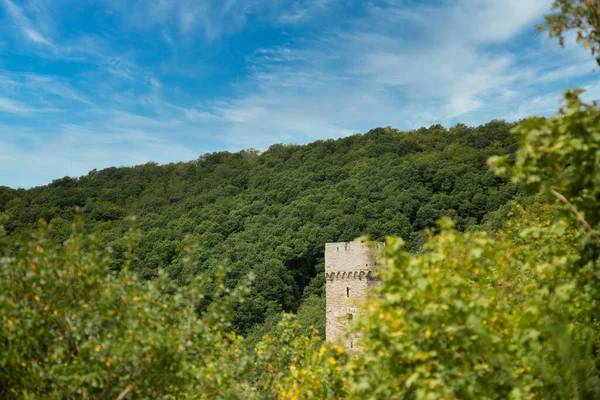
70, 328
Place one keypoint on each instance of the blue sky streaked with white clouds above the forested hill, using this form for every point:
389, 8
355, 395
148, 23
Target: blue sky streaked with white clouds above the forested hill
92, 84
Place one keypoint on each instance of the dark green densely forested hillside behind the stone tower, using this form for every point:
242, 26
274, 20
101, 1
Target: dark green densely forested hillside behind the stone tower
272, 212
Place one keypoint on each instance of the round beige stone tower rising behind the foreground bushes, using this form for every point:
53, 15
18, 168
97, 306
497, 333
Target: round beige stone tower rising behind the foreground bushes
348, 276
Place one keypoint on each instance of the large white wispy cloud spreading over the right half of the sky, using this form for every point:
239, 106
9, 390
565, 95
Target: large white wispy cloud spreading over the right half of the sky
432, 64
